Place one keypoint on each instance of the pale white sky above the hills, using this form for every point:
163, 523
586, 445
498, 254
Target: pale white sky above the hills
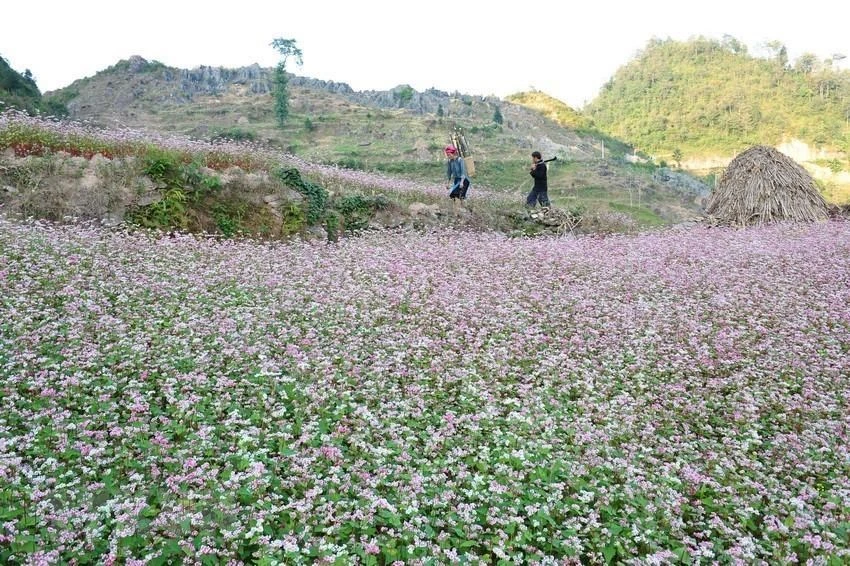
566, 49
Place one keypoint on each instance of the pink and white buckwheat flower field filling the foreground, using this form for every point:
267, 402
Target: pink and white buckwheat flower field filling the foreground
671, 397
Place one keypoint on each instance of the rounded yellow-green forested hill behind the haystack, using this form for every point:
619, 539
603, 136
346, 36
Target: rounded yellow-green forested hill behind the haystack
707, 97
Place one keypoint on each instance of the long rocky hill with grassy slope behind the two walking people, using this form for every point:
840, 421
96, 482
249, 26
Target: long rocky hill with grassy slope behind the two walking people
400, 131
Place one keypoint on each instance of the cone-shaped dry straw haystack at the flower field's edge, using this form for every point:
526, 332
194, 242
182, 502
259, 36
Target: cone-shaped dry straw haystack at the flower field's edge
762, 185
